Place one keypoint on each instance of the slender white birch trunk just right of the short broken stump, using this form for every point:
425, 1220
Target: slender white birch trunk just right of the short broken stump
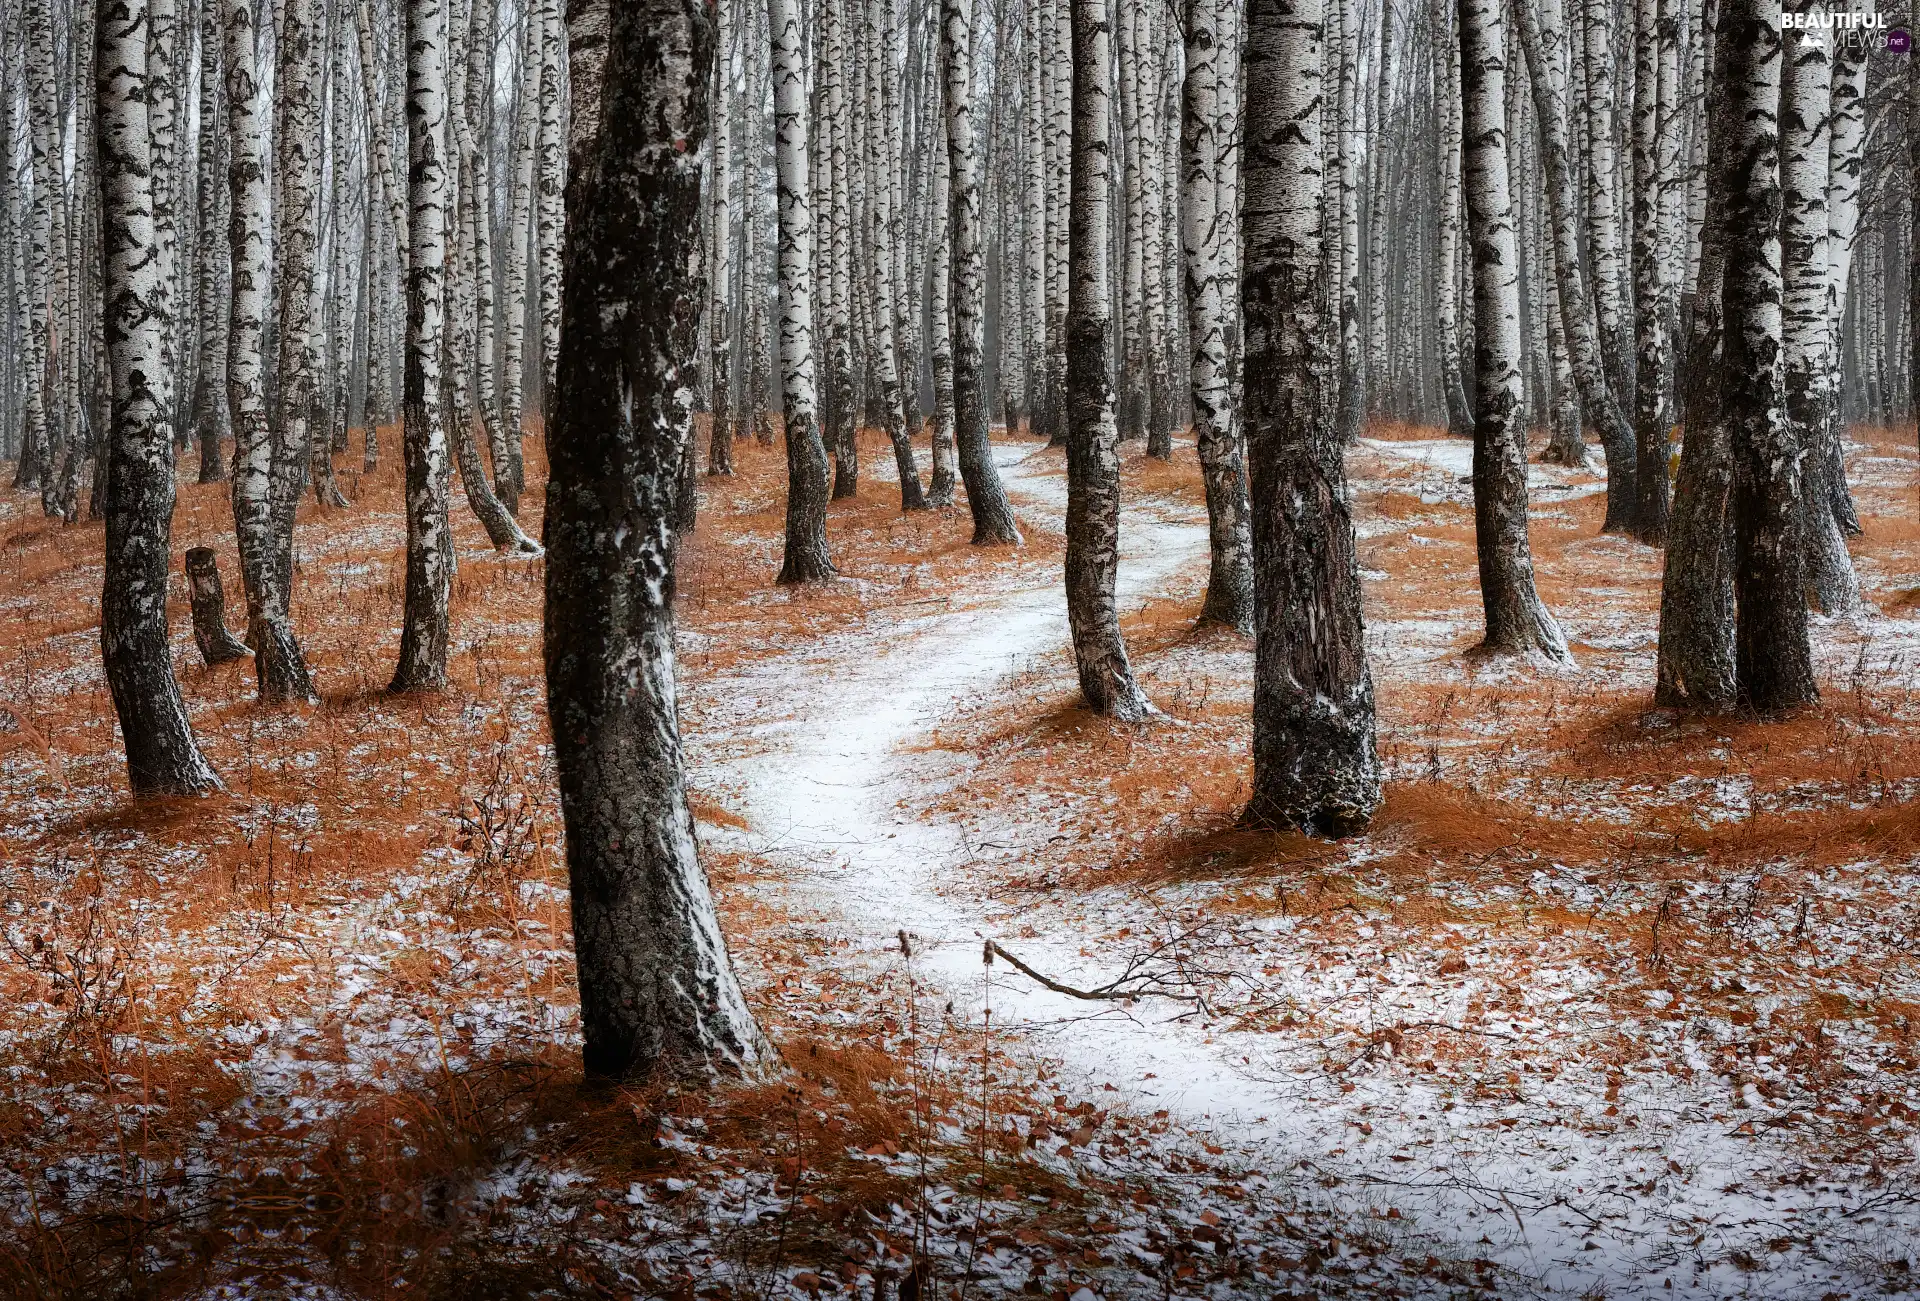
277, 659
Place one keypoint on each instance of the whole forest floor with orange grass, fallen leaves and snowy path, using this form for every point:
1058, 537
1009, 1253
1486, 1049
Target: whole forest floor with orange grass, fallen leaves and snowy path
1612, 1003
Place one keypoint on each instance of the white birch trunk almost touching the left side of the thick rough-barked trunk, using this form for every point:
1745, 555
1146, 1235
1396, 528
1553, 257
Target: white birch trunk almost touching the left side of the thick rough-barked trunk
1207, 239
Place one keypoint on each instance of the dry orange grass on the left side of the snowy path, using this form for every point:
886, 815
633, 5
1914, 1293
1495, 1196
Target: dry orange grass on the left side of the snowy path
191, 920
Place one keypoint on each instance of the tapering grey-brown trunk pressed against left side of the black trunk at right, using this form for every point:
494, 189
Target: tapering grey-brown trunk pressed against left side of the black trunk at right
1696, 655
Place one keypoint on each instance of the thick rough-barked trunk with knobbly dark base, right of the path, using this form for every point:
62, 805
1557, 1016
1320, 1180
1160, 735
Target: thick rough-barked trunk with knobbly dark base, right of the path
1314, 749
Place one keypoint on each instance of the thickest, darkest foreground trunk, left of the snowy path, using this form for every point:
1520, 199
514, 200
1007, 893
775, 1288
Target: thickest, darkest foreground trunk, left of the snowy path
658, 989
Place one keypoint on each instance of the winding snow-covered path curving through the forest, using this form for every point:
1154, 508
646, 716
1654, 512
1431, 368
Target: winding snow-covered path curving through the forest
825, 761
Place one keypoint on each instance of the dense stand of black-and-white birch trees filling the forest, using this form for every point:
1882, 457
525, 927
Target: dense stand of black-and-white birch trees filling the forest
1564, 229
